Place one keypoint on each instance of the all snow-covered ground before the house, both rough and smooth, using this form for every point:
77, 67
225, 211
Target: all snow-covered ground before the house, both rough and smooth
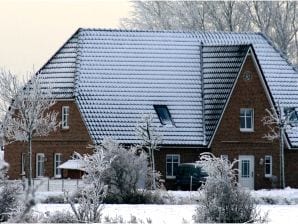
281, 205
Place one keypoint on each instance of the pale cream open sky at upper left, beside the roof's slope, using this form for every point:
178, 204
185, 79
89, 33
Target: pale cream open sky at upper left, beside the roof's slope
32, 30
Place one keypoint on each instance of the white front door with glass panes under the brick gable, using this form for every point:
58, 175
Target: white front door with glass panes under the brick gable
246, 171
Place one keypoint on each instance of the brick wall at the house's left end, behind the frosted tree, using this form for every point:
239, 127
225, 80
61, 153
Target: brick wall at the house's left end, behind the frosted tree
64, 141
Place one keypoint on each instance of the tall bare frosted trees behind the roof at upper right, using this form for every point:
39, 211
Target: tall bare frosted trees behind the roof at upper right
277, 19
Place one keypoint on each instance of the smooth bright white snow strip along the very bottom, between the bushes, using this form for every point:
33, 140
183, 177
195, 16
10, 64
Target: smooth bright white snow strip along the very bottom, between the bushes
175, 213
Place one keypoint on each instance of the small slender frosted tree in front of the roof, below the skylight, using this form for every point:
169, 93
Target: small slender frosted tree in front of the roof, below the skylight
150, 141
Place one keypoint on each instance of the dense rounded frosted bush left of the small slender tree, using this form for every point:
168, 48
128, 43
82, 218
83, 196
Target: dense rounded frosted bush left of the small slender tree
127, 171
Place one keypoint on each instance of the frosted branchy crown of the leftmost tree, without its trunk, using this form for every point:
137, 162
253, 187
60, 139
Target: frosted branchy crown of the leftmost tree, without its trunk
30, 111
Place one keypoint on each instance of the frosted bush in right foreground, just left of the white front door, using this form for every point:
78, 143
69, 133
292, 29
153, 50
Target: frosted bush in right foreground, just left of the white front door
223, 200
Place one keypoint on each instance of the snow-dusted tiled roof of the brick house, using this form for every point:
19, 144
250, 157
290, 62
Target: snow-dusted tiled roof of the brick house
117, 75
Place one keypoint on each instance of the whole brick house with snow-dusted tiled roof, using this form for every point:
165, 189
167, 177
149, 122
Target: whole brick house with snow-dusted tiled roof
206, 91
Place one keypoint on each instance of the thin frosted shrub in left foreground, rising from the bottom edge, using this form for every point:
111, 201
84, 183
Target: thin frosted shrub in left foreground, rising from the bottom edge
90, 200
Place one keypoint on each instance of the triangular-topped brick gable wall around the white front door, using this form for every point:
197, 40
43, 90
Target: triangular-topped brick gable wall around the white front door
229, 140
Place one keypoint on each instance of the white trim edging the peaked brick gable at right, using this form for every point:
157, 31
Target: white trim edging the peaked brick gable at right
250, 53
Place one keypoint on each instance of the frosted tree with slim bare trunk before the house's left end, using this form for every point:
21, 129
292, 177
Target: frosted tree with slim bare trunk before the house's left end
29, 113
